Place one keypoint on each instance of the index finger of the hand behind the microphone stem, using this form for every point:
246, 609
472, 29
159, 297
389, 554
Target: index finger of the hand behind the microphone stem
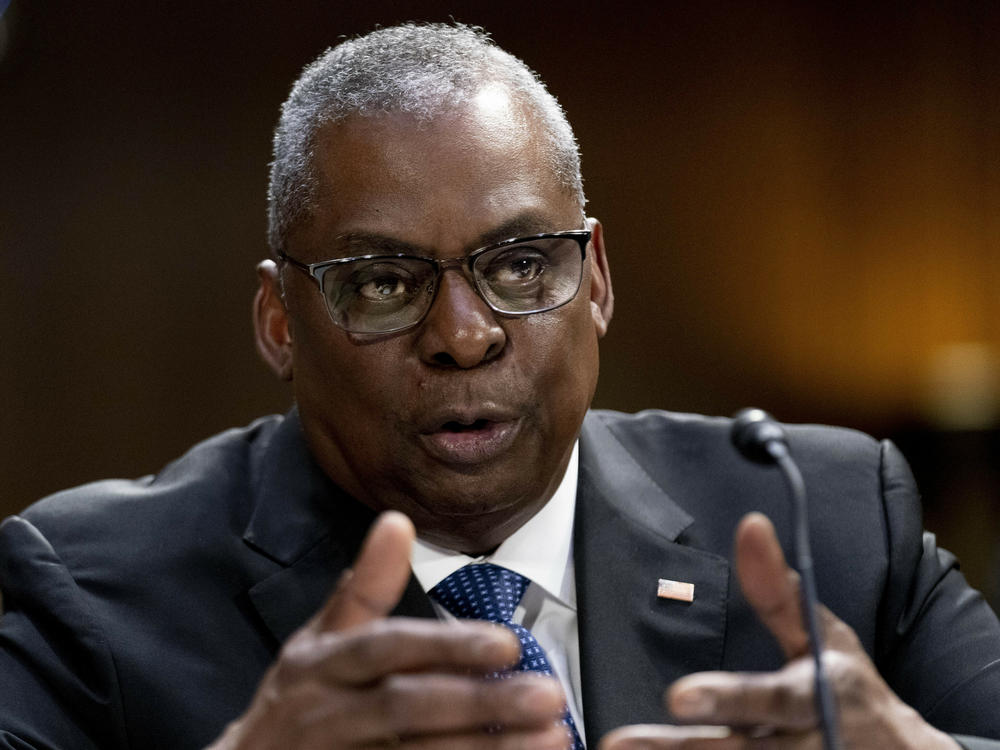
783, 699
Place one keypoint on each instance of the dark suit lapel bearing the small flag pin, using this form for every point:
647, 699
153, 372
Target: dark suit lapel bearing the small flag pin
632, 643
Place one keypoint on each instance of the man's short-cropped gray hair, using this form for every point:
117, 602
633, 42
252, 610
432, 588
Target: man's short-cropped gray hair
418, 69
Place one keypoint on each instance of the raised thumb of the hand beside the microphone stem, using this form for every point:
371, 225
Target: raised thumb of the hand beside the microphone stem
769, 585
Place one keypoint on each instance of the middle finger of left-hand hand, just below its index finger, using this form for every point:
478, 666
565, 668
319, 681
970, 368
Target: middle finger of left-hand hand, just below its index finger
413, 705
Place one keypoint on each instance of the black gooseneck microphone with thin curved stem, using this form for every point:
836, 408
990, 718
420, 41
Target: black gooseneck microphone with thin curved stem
761, 439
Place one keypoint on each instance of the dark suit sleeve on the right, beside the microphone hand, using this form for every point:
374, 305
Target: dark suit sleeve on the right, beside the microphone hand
940, 643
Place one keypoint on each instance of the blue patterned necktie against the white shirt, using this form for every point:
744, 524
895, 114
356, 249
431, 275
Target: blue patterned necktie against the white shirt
484, 591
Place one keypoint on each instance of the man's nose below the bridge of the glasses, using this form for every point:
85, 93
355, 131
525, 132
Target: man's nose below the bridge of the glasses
460, 329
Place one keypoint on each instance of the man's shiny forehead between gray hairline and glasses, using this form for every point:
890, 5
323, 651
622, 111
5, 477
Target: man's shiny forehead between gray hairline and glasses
440, 184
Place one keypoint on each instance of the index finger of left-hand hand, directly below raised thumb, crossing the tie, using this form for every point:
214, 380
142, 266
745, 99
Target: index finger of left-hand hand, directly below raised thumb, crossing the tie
391, 645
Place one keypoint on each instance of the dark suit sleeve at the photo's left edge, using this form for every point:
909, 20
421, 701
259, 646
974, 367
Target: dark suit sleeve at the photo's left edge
58, 688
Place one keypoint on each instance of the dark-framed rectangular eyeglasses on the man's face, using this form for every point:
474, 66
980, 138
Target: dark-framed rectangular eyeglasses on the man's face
388, 293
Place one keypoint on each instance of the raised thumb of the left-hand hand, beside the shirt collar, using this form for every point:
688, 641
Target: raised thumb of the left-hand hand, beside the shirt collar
371, 589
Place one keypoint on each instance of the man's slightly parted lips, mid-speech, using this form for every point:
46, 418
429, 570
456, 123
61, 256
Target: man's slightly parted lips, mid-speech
468, 440
